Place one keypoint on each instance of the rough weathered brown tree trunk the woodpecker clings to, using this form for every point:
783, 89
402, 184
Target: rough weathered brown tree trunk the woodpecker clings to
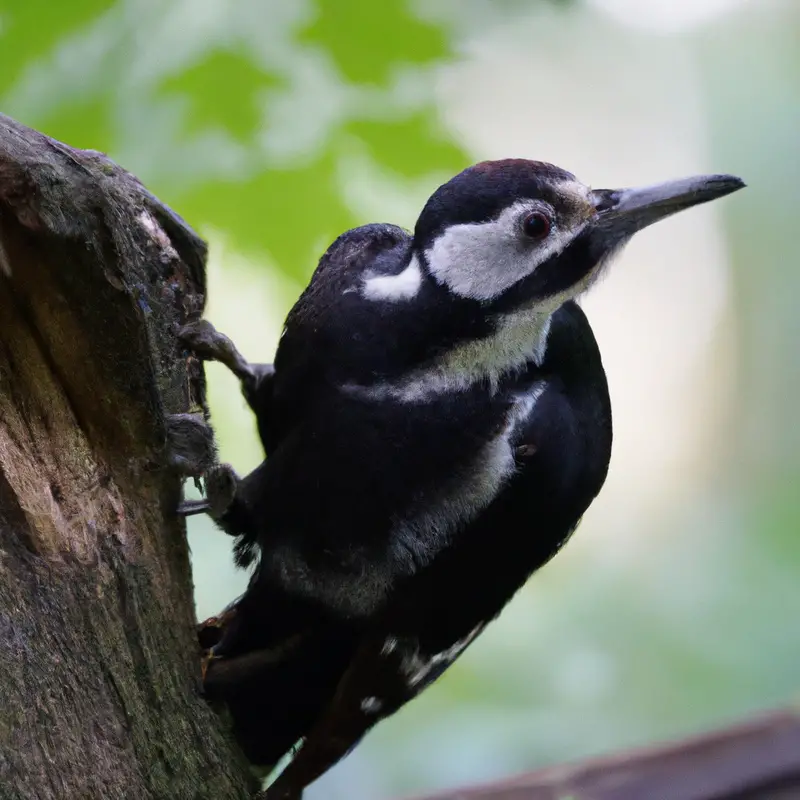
99, 668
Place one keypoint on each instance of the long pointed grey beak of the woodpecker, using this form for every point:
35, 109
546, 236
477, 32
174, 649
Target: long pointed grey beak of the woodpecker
622, 212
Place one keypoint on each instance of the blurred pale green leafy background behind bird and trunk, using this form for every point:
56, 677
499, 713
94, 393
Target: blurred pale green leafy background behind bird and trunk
274, 125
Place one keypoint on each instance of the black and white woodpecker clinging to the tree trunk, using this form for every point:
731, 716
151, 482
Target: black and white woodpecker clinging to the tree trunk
436, 423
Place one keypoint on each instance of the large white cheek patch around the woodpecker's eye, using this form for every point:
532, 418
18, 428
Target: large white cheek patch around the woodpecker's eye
483, 260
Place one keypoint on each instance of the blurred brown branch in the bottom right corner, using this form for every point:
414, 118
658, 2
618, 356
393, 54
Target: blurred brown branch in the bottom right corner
756, 760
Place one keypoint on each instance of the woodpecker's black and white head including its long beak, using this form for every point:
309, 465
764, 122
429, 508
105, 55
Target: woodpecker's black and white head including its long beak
525, 234
